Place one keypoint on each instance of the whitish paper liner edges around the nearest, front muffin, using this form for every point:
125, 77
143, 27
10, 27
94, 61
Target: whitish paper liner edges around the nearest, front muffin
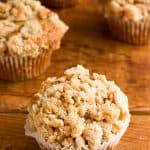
105, 146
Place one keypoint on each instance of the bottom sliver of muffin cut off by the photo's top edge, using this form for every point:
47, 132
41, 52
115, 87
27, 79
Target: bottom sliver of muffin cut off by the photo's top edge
59, 3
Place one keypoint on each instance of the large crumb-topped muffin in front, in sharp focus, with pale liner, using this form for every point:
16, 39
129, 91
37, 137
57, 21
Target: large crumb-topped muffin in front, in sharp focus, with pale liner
78, 111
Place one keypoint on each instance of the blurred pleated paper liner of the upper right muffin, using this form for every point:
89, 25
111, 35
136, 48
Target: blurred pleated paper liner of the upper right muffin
130, 31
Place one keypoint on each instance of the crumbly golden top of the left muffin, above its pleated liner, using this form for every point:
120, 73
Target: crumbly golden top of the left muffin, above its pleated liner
27, 28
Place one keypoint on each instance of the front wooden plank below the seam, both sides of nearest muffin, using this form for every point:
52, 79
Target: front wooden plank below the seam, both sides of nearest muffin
12, 134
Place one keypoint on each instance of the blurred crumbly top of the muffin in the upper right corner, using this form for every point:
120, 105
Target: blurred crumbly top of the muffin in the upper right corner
135, 10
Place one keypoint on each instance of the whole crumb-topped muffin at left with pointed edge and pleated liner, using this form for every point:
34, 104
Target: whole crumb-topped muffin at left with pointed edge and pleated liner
29, 33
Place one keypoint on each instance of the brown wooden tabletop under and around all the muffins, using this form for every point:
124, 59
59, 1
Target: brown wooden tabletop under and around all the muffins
89, 44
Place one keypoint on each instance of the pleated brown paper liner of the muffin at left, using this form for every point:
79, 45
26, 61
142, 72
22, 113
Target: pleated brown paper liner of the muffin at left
15, 68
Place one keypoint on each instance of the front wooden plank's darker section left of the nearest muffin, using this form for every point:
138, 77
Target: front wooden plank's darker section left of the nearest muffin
12, 136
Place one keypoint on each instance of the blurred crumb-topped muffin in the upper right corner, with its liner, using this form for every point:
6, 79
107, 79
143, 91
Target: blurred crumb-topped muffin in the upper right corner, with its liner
128, 20
